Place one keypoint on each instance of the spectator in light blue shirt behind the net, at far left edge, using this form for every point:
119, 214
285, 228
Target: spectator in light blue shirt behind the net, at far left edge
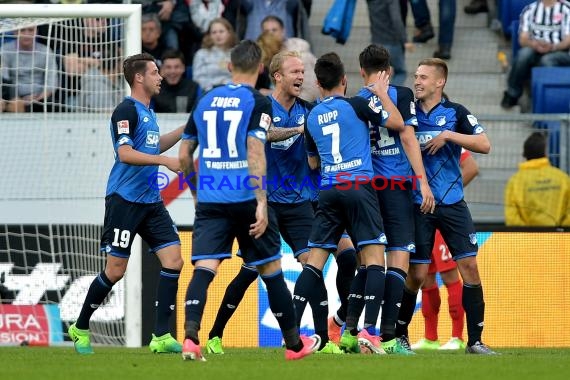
28, 72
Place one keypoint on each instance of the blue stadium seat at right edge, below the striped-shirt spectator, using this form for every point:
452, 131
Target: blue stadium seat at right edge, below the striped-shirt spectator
551, 94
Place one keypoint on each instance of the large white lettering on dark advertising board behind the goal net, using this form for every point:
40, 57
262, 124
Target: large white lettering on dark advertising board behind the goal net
41, 283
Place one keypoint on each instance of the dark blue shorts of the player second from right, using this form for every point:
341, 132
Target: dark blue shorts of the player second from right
397, 209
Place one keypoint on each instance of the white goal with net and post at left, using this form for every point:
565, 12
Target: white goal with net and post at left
61, 76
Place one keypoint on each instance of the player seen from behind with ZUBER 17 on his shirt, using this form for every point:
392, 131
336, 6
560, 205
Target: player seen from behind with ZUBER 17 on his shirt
230, 124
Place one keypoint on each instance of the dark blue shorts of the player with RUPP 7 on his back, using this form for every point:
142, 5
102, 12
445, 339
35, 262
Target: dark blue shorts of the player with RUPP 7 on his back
355, 210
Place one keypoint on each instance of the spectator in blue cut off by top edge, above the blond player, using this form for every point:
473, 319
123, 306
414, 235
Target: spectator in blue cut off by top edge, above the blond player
256, 11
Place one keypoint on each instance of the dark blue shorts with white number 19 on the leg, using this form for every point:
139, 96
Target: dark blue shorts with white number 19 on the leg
124, 219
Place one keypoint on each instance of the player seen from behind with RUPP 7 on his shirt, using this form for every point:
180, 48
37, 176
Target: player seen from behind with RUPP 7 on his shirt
338, 137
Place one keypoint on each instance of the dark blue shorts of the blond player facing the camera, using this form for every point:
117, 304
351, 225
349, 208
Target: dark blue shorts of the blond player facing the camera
295, 221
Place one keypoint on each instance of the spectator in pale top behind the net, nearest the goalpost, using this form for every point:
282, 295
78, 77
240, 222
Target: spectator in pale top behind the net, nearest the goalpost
102, 85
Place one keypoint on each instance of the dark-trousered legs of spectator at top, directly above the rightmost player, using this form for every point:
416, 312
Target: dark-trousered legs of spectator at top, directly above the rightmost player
424, 29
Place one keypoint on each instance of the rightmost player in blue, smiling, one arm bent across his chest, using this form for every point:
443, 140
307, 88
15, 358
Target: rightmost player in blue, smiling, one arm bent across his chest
444, 128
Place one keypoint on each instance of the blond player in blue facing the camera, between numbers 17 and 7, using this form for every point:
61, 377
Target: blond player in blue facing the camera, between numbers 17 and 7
289, 192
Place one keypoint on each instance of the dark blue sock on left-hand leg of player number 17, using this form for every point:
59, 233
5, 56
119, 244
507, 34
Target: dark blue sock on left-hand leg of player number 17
196, 296
